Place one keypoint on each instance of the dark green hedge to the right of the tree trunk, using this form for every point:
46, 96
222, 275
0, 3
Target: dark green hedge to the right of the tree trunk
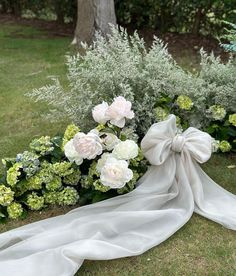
177, 16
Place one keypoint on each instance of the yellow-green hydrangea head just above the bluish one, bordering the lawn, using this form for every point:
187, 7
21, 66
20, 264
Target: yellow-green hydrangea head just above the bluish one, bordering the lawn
42, 146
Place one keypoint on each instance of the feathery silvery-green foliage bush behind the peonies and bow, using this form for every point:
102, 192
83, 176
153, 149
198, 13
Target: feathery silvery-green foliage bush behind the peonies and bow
122, 65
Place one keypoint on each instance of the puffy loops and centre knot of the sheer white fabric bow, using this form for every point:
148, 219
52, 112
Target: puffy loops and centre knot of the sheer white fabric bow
161, 141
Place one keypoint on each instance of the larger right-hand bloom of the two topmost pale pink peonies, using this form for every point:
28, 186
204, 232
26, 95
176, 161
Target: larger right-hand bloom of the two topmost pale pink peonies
119, 110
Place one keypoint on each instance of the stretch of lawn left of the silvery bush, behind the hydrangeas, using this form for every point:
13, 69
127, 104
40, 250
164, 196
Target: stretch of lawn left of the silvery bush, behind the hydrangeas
26, 63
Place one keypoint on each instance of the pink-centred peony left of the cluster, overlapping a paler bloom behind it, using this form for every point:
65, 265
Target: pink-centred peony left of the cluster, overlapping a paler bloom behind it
88, 145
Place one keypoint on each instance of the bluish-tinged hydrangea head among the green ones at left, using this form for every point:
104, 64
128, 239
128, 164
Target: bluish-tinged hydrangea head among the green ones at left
30, 162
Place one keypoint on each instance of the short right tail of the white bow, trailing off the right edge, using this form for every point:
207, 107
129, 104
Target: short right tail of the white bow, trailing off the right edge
211, 200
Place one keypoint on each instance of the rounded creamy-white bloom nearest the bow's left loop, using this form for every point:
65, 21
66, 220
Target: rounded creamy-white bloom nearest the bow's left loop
125, 150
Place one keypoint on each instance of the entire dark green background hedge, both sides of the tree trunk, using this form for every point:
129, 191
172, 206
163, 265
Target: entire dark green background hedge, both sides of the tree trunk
192, 16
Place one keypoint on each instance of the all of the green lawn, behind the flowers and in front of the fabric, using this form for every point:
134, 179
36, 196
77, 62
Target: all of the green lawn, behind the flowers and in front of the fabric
27, 57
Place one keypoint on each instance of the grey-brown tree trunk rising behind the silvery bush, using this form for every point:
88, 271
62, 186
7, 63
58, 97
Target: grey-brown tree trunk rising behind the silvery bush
93, 15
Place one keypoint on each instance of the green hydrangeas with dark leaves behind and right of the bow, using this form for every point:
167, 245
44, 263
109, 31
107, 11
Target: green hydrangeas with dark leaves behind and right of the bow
220, 124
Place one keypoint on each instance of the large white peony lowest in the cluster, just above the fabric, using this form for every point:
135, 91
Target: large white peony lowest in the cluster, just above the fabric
115, 173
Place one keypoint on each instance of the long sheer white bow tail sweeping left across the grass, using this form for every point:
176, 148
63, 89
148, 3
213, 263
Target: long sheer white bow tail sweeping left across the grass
124, 226
